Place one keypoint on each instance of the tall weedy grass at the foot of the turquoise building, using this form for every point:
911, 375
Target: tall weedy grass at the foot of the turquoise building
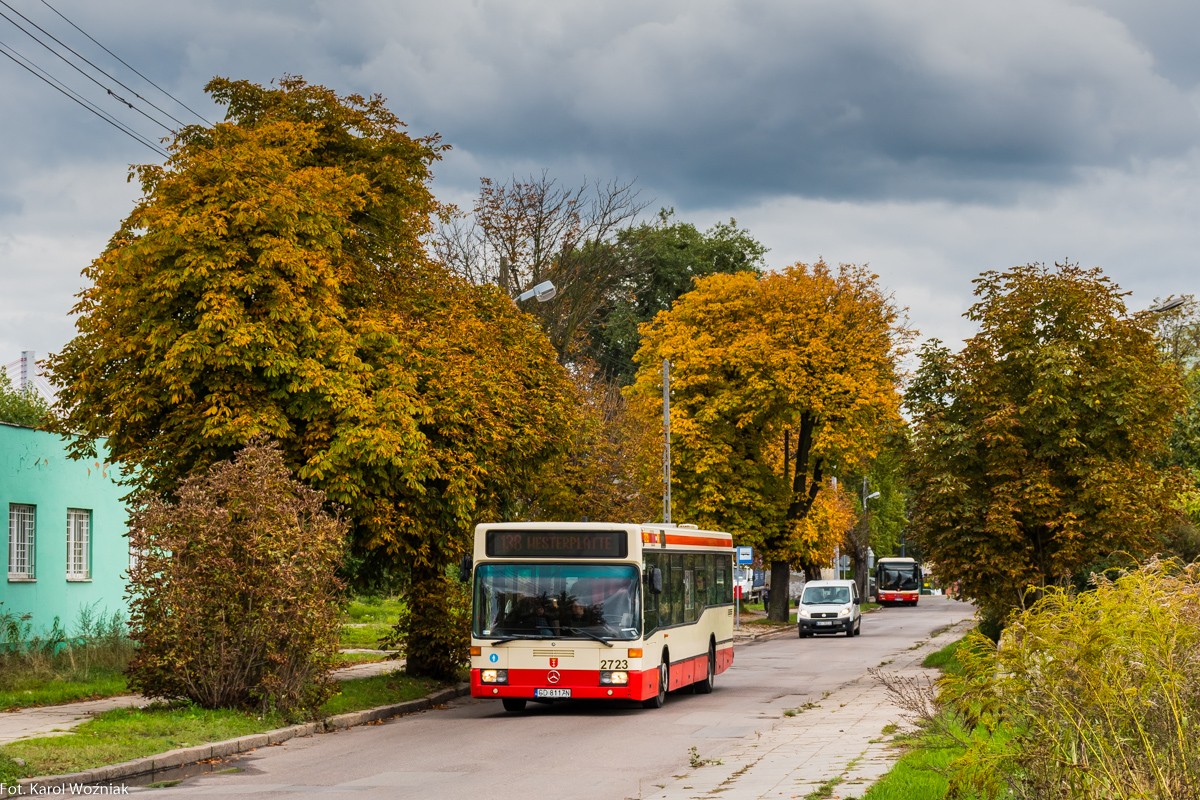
59, 665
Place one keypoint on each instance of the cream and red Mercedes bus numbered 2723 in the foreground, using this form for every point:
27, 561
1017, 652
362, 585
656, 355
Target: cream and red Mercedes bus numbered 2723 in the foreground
598, 611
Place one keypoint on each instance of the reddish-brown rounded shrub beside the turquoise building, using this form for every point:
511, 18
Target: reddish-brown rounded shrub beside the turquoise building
235, 596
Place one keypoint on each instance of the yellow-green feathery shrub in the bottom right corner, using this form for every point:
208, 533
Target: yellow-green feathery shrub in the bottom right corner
1088, 695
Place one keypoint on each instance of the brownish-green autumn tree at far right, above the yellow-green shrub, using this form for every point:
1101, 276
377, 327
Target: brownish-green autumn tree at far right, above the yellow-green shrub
1035, 446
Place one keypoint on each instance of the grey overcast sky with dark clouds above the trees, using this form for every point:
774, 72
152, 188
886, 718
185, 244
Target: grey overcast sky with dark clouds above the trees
933, 141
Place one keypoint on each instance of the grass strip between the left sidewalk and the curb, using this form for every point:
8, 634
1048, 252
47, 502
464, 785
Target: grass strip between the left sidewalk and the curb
125, 735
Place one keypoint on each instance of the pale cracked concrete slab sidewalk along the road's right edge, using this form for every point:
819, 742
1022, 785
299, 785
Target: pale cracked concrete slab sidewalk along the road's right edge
838, 744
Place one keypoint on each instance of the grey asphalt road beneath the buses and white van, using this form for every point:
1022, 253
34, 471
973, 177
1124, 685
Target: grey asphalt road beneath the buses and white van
577, 750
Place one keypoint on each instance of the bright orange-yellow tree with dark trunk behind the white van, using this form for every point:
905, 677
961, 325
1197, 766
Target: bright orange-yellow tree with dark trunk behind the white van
778, 382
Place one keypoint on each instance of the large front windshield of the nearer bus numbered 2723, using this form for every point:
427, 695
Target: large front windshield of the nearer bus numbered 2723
557, 601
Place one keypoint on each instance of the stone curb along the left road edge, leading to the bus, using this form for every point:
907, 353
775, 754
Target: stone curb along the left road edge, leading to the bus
173, 759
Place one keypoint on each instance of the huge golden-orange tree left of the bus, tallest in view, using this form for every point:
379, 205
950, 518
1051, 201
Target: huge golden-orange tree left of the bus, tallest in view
273, 282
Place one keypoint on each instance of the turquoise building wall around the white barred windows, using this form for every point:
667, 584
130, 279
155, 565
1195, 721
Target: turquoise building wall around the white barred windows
35, 471
